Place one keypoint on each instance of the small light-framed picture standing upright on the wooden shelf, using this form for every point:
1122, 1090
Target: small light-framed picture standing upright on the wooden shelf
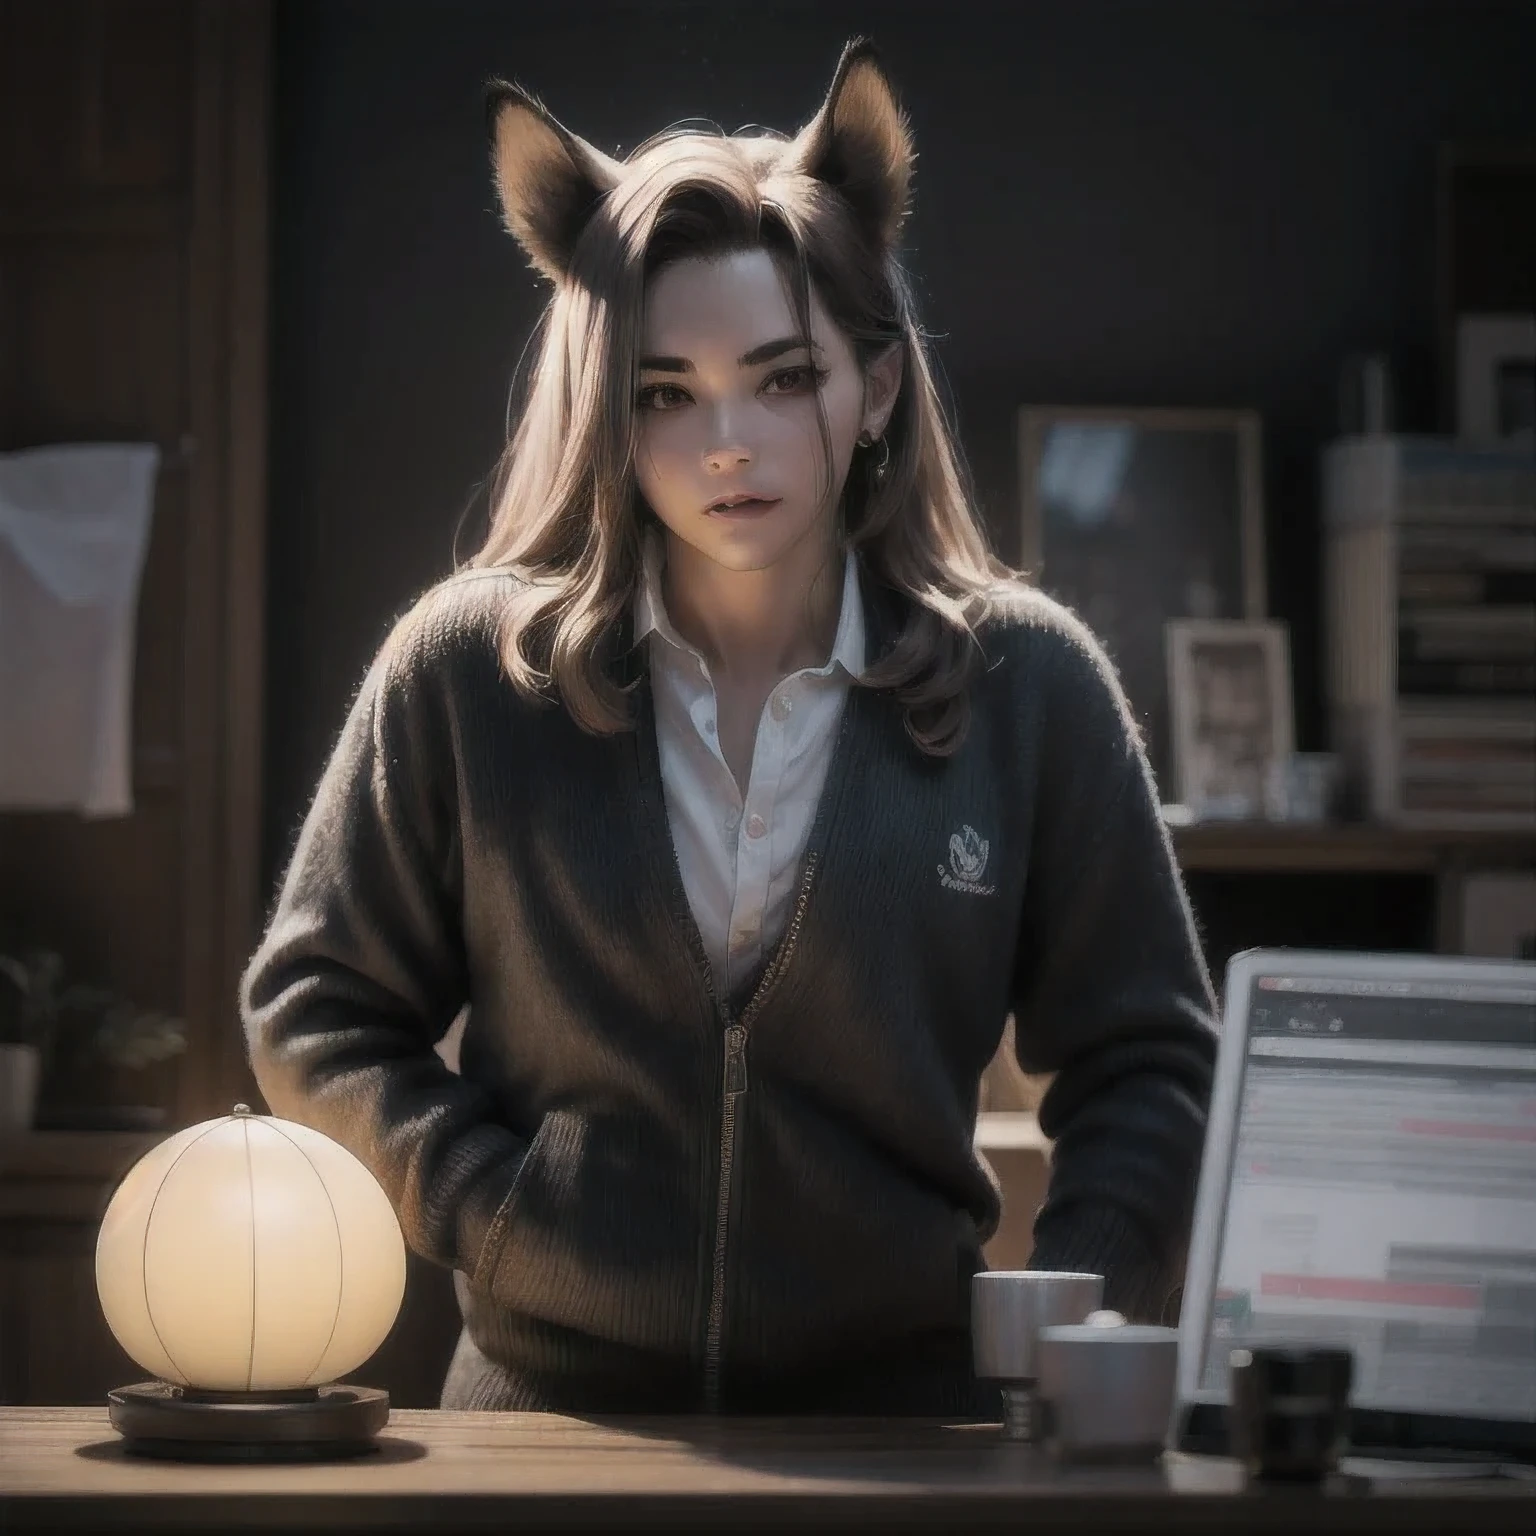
1230, 686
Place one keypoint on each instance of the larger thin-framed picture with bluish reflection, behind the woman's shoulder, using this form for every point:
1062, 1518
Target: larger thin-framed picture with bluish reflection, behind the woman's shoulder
1136, 517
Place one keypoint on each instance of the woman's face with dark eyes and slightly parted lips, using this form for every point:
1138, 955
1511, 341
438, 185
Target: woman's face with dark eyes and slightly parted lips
727, 412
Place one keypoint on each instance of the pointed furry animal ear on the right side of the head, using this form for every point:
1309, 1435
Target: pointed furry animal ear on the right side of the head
859, 144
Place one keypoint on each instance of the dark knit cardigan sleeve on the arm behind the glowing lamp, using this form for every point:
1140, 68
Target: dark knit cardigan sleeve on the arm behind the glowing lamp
362, 970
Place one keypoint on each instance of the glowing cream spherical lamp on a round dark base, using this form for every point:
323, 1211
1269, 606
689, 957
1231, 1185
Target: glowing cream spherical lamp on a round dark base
248, 1263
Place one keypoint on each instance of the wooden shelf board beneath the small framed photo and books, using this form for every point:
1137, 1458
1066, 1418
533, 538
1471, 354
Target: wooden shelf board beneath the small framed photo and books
1343, 847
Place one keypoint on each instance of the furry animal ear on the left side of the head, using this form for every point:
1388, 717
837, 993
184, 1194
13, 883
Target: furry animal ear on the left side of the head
548, 177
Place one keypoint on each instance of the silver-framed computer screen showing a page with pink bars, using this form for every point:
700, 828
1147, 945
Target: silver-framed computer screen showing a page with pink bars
1369, 1180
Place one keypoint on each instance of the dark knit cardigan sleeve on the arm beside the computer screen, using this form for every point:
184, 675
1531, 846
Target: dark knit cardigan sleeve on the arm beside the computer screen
1111, 998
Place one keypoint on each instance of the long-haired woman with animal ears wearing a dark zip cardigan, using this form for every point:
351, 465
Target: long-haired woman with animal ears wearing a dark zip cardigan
740, 796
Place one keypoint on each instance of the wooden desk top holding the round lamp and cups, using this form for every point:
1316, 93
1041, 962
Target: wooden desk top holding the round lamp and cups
65, 1469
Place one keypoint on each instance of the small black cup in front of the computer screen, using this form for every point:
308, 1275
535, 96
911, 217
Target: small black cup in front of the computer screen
1289, 1411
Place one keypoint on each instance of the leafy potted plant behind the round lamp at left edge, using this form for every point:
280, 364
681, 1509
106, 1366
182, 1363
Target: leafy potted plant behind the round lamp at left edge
48, 1021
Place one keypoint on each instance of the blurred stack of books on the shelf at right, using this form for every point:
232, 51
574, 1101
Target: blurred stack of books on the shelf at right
1431, 569
